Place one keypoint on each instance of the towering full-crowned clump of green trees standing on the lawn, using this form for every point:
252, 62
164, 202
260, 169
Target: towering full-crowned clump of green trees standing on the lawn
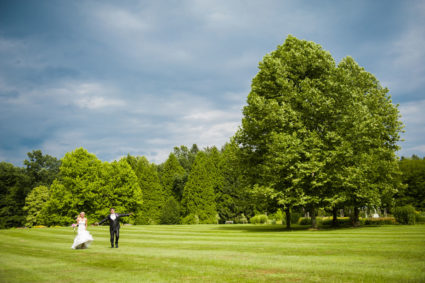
318, 134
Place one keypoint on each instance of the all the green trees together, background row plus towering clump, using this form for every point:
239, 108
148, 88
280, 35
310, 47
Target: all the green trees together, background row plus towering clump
315, 136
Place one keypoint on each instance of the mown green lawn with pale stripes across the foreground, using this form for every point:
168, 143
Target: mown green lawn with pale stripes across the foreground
216, 253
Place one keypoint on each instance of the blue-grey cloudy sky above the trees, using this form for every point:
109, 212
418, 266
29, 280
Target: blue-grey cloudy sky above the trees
141, 77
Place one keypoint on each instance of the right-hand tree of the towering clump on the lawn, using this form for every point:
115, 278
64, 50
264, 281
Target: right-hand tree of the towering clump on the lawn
370, 128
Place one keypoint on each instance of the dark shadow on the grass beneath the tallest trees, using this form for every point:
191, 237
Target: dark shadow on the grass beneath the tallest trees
279, 228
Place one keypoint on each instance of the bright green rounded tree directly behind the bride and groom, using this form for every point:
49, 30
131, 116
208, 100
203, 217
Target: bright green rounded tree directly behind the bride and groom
87, 184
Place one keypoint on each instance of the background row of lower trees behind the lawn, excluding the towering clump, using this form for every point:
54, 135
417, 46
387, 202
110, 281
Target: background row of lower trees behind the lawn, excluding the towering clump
191, 186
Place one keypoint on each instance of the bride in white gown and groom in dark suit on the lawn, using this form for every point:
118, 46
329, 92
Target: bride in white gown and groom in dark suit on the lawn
83, 238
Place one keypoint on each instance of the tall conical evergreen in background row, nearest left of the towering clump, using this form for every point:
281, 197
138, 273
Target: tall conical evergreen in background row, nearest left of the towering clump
198, 195
